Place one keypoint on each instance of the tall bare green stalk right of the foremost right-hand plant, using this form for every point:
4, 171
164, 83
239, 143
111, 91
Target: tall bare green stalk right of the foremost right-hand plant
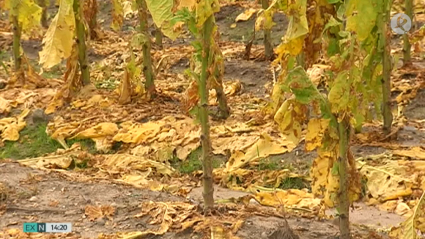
383, 20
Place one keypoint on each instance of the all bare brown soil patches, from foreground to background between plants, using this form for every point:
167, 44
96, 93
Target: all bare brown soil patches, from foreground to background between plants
48, 196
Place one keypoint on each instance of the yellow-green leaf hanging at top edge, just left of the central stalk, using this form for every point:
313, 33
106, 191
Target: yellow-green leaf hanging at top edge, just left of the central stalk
161, 11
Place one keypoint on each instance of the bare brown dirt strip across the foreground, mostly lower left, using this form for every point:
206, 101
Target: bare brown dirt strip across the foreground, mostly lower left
46, 196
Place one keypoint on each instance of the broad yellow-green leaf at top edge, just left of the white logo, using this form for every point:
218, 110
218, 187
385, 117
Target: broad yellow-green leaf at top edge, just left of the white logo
361, 17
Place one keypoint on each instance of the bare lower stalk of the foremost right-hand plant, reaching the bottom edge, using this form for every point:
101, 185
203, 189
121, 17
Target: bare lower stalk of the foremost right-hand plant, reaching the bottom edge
343, 199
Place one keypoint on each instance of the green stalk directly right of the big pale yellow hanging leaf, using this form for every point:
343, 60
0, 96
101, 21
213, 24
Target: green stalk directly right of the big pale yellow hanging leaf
81, 41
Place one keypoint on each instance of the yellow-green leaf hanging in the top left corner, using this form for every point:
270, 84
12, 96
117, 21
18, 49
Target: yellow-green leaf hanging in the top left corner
27, 11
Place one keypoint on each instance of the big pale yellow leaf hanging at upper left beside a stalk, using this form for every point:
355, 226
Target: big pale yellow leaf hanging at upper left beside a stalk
59, 37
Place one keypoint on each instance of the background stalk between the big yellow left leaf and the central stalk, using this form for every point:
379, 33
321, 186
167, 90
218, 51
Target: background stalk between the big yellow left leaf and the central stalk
146, 48
